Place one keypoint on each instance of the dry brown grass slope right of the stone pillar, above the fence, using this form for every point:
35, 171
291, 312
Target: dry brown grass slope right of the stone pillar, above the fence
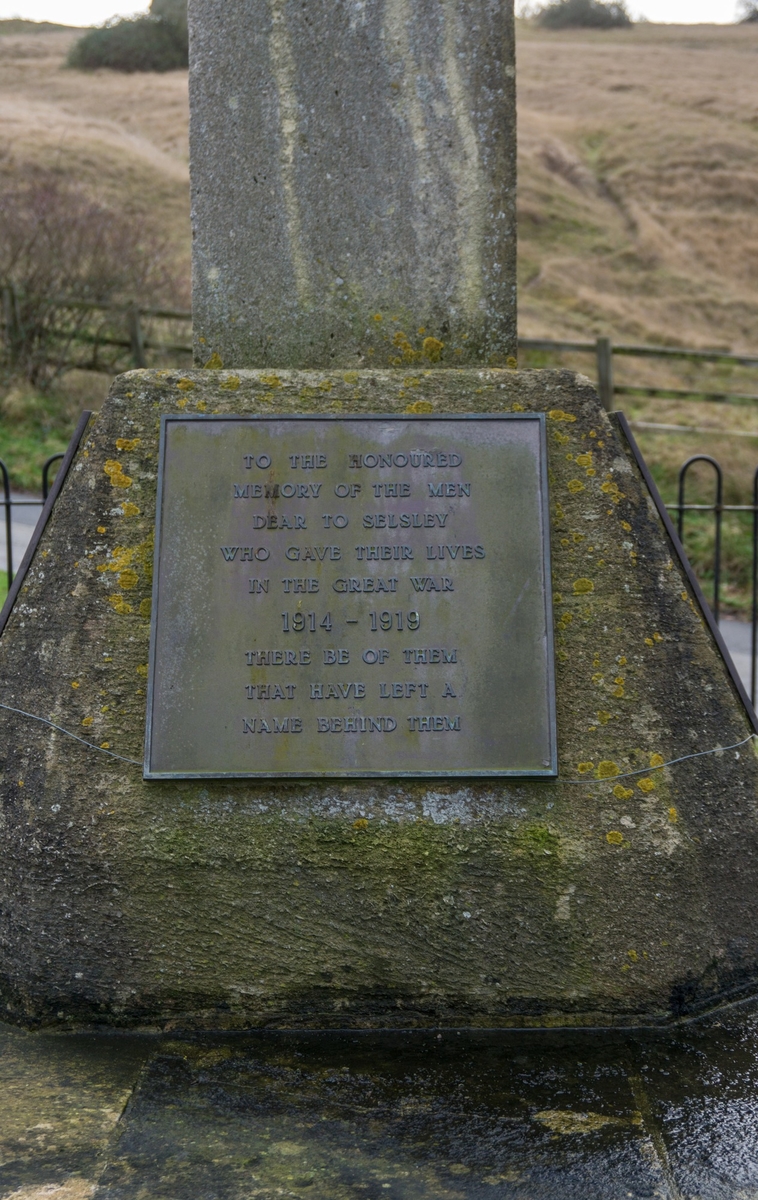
639, 185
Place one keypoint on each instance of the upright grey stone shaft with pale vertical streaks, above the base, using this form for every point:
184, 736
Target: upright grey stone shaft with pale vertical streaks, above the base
353, 183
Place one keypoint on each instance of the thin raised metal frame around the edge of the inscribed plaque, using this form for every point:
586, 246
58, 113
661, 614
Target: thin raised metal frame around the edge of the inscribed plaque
549, 772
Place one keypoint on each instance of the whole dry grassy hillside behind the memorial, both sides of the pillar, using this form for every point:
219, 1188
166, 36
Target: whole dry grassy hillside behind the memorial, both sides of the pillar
639, 195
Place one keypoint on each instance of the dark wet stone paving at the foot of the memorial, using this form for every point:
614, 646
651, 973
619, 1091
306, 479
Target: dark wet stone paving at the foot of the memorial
399, 1117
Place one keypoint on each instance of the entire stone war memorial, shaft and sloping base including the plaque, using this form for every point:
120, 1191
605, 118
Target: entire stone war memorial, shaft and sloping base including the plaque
356, 679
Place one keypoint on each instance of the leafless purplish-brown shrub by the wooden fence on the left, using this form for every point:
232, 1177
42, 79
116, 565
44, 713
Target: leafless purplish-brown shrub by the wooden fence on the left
61, 250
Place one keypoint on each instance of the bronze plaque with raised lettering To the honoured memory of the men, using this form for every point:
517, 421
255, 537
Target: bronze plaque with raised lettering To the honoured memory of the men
352, 597
